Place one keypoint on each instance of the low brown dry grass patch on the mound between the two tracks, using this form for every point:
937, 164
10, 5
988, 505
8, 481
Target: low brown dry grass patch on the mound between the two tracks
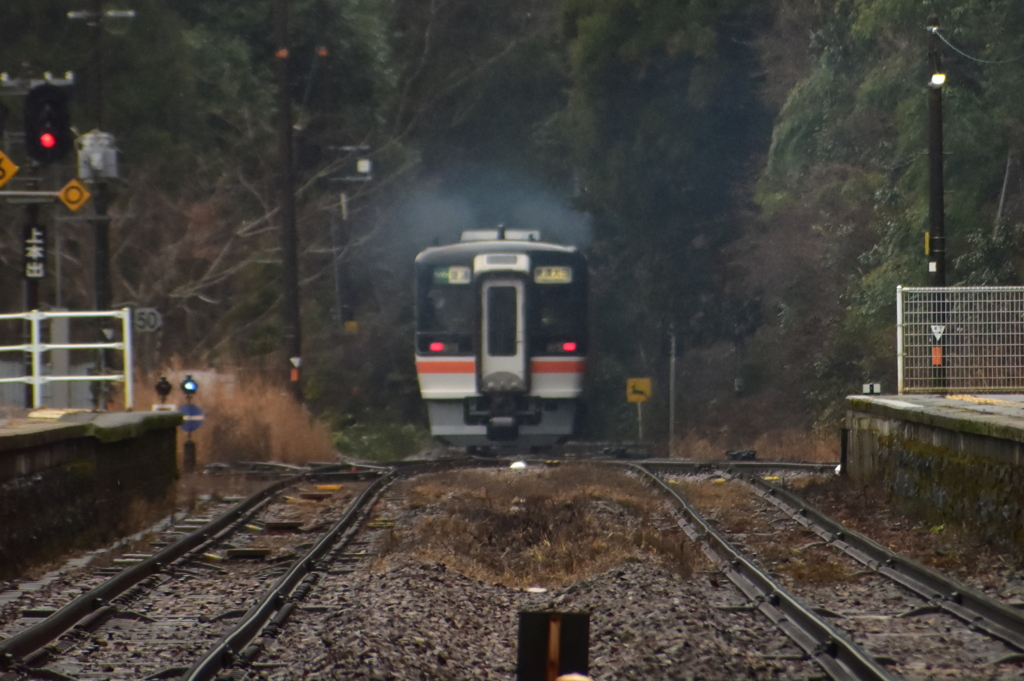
540, 527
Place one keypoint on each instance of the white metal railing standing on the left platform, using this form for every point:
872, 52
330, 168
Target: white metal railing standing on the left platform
36, 349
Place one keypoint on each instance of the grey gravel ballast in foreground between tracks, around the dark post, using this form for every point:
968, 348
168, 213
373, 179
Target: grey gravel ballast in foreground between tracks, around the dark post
416, 621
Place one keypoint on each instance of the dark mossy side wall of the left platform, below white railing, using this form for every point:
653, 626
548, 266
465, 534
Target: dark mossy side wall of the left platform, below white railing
67, 486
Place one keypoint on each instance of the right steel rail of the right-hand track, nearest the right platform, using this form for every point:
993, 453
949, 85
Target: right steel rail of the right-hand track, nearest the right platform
942, 591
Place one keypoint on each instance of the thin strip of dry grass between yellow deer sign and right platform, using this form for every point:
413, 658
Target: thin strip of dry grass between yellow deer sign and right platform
786, 445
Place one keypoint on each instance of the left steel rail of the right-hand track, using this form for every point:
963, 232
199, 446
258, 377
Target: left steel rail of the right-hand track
831, 649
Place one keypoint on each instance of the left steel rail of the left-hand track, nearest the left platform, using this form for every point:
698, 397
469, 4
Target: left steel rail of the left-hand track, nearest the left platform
39, 635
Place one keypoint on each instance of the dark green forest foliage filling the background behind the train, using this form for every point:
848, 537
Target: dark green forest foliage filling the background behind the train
748, 176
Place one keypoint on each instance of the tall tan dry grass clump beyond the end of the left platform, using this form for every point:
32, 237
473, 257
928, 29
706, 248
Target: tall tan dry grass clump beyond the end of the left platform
247, 419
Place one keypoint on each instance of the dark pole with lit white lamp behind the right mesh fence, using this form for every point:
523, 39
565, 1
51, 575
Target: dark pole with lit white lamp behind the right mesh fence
936, 205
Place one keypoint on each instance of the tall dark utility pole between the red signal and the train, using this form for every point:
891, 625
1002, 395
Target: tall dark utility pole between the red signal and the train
289, 235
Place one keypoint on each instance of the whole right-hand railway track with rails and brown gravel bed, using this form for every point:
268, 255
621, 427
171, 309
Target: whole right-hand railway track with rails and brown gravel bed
859, 606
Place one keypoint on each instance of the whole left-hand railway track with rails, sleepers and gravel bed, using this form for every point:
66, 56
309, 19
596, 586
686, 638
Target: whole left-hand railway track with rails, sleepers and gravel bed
212, 590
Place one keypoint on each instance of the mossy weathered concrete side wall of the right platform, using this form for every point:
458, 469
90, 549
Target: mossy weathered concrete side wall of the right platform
946, 467
